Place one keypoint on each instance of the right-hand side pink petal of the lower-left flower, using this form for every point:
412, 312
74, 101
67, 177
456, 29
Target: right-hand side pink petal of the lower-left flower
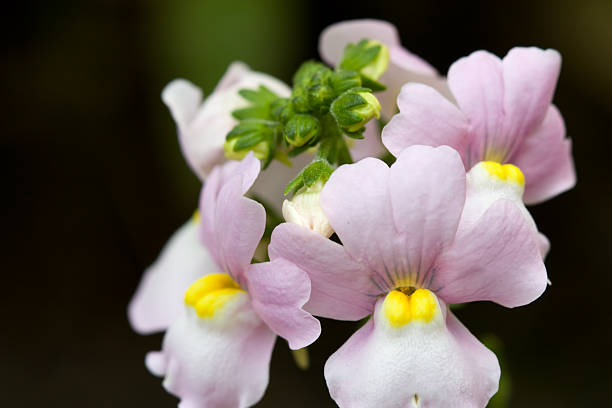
278, 291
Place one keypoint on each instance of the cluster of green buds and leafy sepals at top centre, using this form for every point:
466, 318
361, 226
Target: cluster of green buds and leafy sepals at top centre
323, 106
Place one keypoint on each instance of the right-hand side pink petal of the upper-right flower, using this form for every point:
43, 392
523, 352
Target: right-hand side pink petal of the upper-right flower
545, 158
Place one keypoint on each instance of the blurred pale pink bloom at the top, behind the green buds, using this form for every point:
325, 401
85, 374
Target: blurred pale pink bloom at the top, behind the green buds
403, 65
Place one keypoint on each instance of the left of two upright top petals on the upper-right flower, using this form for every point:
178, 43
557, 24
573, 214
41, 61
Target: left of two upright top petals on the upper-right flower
477, 83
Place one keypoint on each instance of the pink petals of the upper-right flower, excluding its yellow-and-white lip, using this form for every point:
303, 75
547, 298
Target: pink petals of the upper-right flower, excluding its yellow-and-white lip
503, 114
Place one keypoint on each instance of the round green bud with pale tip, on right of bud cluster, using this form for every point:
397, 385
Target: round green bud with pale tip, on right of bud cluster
354, 108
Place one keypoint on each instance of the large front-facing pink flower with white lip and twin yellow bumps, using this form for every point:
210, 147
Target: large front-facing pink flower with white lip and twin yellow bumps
410, 247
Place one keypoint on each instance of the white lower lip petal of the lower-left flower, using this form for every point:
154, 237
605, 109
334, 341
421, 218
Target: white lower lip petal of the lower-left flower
219, 362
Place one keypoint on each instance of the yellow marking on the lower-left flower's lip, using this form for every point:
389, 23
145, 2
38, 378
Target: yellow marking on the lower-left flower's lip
211, 292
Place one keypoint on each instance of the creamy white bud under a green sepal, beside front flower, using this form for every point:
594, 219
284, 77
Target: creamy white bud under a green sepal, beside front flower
304, 209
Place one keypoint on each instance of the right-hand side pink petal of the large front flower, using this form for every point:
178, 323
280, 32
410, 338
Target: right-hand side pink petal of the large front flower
497, 259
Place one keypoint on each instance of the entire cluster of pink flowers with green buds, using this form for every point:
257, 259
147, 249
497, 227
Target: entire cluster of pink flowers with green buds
390, 245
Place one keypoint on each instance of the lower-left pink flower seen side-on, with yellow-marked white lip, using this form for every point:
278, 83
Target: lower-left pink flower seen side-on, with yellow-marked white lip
217, 351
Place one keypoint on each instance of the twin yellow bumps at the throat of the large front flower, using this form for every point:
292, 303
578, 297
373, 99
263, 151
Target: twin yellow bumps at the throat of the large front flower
401, 309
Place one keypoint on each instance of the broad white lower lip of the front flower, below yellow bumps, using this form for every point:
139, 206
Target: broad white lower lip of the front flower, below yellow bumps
421, 364
